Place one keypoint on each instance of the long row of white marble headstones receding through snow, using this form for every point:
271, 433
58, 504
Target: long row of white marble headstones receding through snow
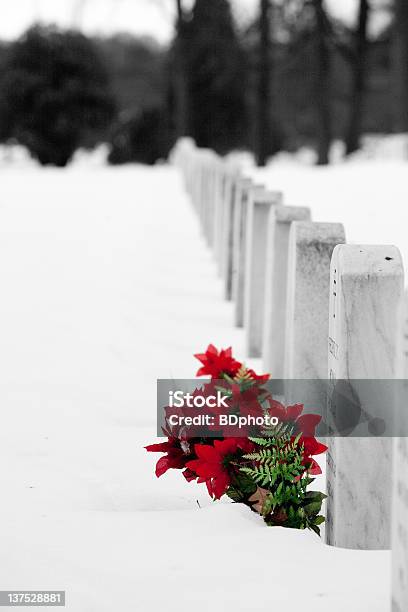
314, 307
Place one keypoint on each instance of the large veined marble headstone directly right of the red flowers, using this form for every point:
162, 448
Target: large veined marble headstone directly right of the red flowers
365, 302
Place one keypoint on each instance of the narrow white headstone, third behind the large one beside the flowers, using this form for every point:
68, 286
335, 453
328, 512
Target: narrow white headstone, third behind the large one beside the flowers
259, 206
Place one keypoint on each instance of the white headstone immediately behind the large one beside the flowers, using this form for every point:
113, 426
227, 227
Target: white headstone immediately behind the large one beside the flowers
307, 321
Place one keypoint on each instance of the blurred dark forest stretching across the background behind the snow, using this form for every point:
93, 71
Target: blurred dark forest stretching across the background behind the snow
292, 76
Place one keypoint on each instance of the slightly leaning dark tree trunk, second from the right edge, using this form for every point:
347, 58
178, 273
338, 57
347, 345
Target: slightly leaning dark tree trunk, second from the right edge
358, 59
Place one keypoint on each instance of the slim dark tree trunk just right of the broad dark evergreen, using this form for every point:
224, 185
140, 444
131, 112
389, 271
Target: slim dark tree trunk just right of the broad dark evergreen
264, 128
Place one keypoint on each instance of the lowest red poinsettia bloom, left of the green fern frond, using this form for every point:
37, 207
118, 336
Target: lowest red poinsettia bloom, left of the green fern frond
213, 462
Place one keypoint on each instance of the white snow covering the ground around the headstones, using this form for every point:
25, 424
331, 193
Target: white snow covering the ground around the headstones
107, 285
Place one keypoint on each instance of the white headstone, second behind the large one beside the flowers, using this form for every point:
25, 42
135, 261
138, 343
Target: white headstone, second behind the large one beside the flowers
276, 285
